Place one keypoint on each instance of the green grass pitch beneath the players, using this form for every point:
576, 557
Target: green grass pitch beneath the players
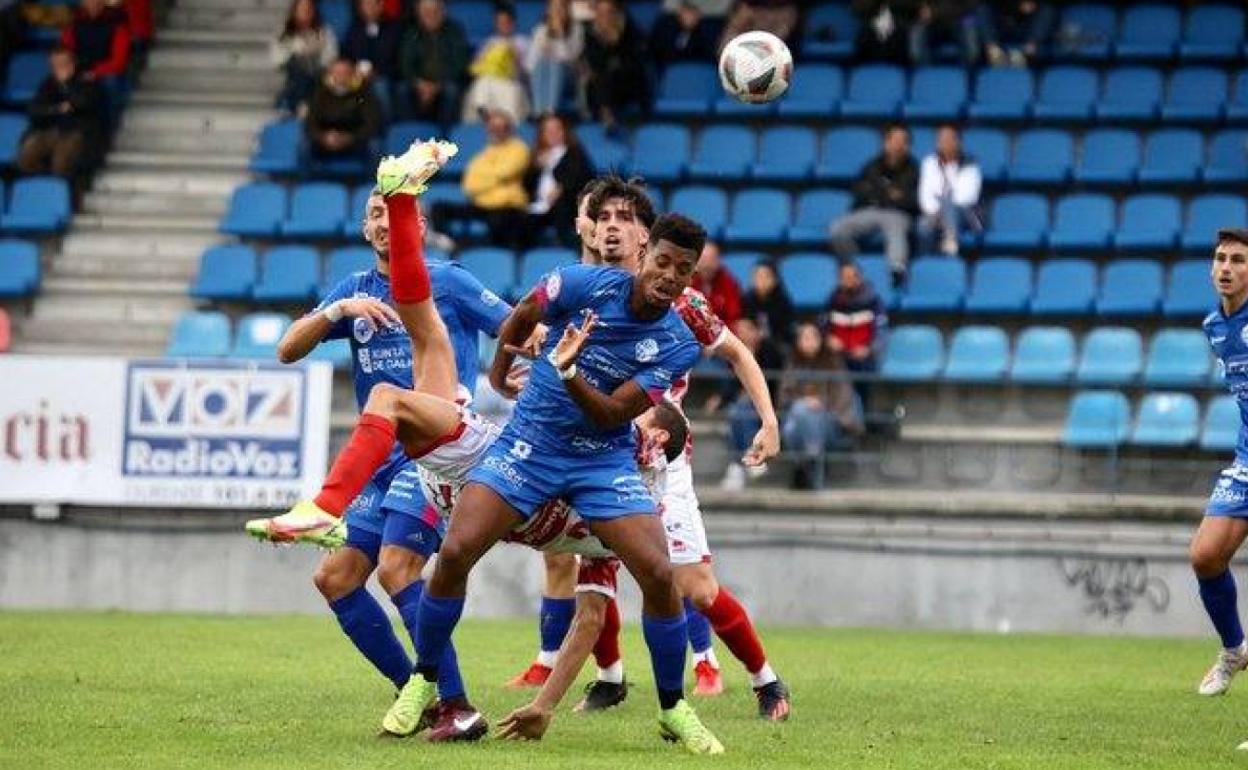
108, 691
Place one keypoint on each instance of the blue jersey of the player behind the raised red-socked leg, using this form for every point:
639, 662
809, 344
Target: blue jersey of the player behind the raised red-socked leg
385, 355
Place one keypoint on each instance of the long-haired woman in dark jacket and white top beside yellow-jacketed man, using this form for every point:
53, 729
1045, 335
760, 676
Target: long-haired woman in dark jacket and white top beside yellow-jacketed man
558, 170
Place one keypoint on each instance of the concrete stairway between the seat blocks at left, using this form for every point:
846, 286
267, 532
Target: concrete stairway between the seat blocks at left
119, 280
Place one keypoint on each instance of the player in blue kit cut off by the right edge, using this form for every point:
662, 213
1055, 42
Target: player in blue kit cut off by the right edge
1226, 519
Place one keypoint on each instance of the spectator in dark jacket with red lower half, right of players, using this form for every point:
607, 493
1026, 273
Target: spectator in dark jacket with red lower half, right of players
857, 323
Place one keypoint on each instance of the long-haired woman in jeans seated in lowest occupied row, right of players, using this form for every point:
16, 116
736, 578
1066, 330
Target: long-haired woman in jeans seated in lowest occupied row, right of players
822, 409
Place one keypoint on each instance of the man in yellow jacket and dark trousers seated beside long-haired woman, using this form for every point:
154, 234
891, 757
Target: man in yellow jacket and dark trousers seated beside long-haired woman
495, 185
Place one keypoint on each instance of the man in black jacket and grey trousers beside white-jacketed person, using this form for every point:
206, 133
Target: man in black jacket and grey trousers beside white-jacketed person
885, 203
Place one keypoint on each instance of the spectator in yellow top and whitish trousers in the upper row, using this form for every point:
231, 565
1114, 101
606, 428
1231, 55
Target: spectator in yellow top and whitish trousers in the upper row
499, 74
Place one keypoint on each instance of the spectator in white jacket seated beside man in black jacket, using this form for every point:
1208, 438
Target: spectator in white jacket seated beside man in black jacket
949, 193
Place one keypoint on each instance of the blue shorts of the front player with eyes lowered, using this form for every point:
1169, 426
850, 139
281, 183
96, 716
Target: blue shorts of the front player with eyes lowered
601, 486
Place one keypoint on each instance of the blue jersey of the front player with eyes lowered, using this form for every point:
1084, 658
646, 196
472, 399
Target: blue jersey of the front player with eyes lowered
622, 348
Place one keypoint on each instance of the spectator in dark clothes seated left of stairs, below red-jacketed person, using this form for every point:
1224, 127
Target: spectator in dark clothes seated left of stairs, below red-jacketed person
66, 120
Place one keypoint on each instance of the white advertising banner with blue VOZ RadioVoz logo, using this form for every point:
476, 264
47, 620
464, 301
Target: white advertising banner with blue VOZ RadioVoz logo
197, 435
